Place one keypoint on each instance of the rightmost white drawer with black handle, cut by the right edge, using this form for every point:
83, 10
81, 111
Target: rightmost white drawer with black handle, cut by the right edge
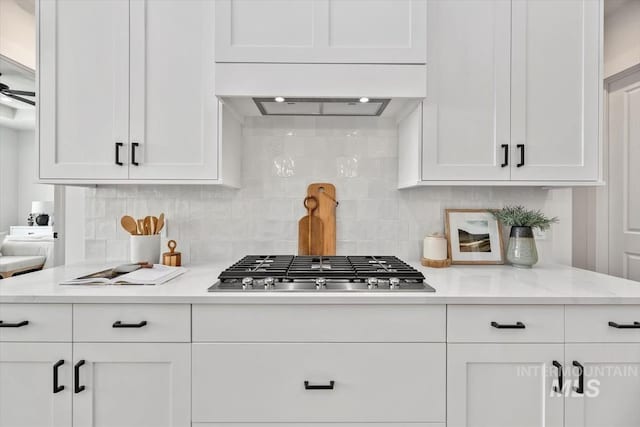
590, 323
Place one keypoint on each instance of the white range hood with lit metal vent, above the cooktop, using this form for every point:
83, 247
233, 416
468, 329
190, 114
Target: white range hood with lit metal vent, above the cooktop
347, 90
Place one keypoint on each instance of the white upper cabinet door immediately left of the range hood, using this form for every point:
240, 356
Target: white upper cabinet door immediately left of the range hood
174, 112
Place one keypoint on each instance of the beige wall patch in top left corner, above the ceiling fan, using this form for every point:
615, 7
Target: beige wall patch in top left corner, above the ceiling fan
18, 31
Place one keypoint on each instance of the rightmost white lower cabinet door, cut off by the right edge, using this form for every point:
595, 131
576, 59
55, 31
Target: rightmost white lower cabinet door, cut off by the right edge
611, 385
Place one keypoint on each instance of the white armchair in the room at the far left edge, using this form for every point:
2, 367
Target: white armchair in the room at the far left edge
24, 254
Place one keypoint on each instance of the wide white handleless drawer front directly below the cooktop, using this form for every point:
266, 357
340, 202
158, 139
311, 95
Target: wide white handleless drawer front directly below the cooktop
319, 323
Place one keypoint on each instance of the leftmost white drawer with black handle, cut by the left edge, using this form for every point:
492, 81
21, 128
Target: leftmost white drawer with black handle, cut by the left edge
35, 322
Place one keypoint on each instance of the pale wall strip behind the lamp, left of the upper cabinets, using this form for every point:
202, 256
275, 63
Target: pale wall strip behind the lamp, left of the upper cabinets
29, 190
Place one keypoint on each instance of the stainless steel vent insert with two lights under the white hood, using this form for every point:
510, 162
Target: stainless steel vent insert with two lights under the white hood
280, 106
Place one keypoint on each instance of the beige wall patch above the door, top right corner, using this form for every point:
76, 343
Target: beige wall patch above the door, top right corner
621, 35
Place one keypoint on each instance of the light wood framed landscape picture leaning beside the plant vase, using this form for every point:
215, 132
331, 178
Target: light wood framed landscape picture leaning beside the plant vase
474, 236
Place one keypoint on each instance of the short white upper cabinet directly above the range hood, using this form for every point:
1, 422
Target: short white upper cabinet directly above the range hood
321, 31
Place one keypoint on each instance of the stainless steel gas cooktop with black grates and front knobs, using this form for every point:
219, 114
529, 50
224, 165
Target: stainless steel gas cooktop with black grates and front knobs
288, 273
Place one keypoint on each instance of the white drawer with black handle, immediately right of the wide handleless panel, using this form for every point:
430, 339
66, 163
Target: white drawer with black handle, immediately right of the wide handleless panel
504, 323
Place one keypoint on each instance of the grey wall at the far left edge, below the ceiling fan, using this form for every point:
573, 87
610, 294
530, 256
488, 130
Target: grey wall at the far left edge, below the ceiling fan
8, 177
